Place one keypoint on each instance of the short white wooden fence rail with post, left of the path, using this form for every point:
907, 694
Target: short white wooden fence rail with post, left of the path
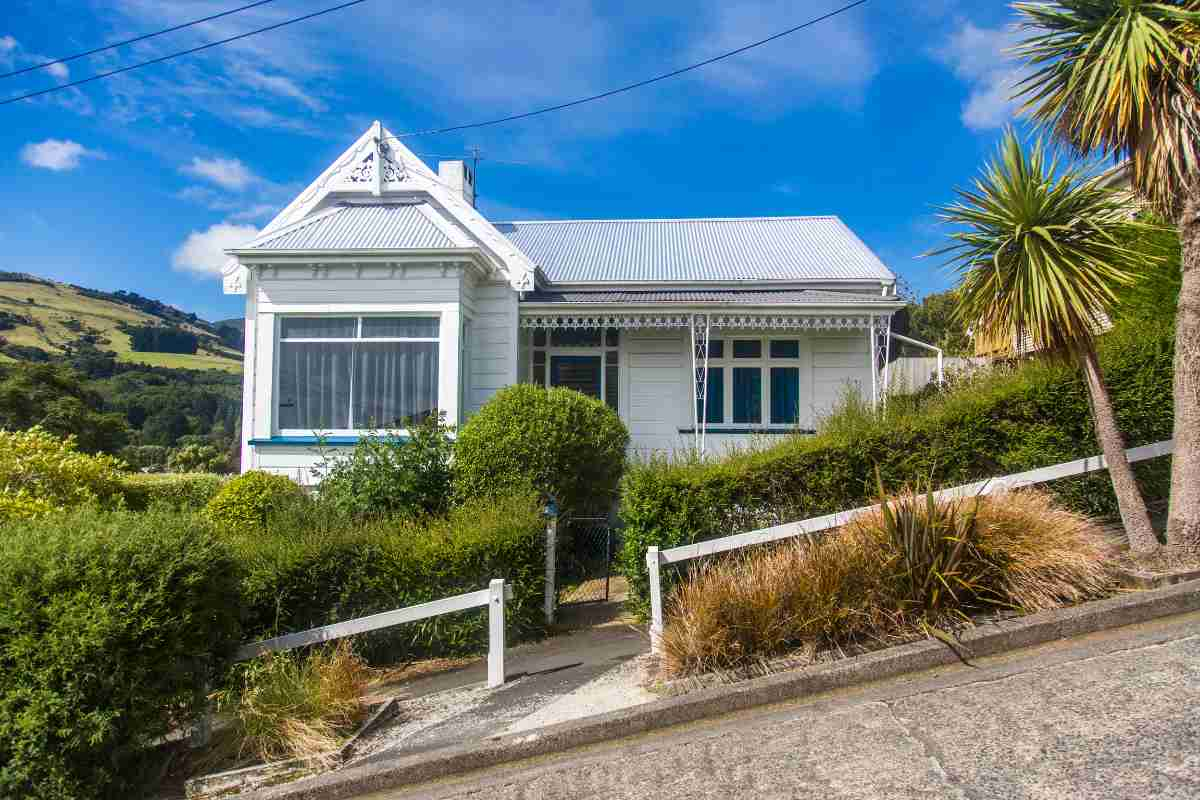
495, 597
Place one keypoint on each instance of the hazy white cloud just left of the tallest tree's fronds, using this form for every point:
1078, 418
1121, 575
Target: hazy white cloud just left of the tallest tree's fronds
977, 58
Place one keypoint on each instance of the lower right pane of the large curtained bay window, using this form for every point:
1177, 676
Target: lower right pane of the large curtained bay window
394, 382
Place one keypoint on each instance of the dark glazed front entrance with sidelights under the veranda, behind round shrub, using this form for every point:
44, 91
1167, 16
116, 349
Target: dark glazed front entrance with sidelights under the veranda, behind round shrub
584, 359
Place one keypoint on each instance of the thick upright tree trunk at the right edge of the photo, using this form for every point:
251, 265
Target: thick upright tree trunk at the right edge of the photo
1184, 520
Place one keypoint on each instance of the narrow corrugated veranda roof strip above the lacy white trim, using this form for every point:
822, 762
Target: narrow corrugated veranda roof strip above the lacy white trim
706, 297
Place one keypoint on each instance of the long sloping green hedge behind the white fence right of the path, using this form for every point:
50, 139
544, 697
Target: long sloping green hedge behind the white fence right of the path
1007, 423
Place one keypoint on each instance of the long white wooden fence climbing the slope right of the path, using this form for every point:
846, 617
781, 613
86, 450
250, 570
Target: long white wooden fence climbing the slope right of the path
657, 560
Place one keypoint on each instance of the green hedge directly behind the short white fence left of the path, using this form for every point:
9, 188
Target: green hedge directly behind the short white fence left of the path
314, 568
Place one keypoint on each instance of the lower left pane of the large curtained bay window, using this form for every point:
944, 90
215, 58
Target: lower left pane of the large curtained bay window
315, 386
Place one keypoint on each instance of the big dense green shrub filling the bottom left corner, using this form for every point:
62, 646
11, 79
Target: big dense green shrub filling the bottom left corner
103, 619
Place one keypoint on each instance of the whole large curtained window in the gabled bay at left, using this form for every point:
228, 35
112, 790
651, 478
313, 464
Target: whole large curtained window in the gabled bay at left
347, 374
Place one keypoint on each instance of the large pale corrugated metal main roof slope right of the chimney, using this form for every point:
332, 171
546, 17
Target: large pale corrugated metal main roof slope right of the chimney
760, 249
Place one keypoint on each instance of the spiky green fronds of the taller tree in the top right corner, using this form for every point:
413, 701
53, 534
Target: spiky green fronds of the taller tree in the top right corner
1120, 77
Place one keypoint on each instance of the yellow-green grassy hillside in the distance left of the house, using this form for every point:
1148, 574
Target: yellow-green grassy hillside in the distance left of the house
52, 317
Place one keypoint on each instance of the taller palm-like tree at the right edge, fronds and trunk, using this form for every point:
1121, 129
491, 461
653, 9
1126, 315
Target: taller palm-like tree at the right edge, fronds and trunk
1120, 79
